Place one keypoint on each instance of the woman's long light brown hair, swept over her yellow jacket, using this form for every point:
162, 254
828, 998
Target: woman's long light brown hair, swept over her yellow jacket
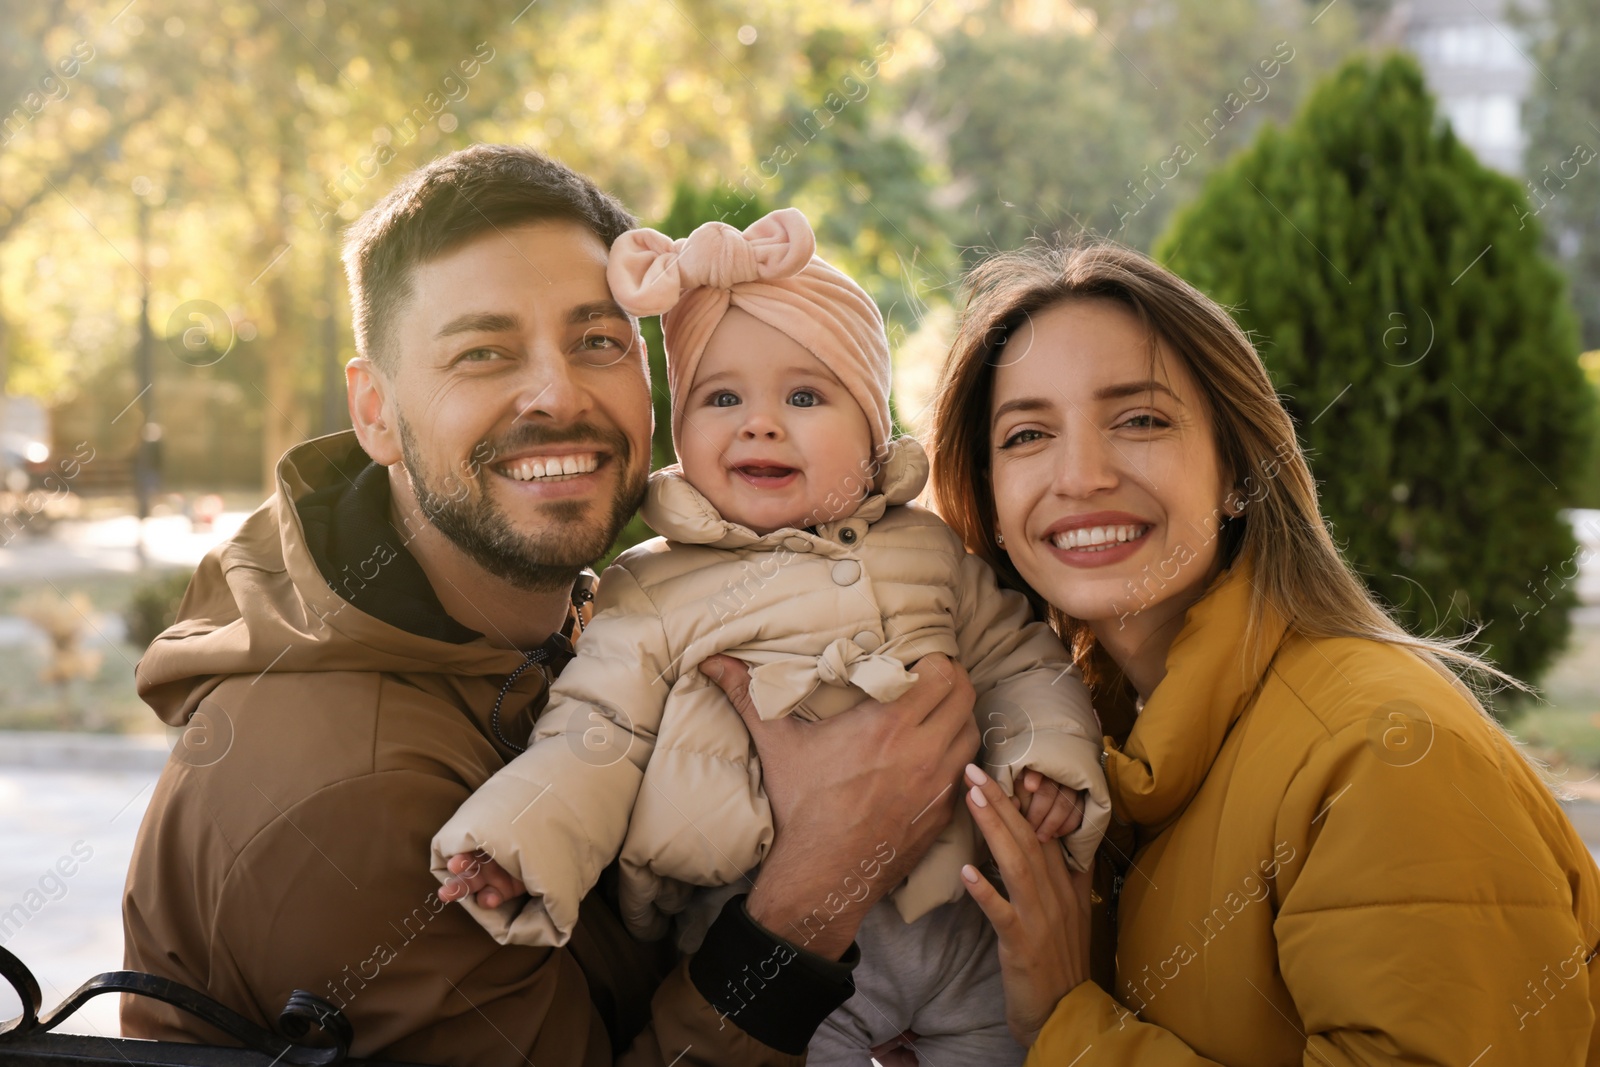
1298, 570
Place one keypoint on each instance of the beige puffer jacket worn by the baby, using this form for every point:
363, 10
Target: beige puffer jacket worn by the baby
642, 756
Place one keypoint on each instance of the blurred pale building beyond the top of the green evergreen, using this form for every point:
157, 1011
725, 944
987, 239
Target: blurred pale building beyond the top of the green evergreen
1478, 63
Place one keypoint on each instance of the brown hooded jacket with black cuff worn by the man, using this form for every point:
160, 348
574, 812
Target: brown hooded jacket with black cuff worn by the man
287, 844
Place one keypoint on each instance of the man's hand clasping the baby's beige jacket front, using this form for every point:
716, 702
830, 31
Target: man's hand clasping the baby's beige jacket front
857, 797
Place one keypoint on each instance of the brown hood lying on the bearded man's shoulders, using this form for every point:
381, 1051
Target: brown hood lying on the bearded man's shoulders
258, 602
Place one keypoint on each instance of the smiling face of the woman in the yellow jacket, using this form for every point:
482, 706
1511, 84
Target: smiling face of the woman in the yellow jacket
1108, 484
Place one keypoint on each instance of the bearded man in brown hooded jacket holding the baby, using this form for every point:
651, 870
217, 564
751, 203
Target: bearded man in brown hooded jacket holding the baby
378, 637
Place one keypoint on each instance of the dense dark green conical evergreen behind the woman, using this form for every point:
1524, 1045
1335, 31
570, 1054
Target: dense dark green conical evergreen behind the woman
1423, 345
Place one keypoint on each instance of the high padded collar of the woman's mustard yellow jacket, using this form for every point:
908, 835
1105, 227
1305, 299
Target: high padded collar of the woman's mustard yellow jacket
1210, 681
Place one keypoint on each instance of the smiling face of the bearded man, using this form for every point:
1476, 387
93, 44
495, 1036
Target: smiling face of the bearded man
522, 399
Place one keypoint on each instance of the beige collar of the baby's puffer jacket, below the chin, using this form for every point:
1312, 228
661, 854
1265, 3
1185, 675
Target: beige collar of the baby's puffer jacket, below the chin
681, 513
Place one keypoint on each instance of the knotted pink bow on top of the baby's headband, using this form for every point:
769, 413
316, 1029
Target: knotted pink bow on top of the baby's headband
649, 271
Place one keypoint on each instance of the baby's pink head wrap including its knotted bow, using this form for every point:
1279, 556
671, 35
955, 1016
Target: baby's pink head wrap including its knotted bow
770, 271
